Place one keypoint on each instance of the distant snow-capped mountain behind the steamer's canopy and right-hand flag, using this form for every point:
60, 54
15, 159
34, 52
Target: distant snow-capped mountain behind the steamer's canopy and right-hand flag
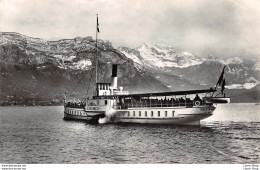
159, 59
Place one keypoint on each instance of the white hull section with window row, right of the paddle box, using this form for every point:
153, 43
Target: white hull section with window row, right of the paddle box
174, 116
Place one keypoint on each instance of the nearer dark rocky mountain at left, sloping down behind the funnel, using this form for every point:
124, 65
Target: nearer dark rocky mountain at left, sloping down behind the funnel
34, 70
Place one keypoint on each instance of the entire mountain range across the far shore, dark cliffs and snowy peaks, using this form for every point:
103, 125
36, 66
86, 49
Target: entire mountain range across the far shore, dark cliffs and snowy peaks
38, 72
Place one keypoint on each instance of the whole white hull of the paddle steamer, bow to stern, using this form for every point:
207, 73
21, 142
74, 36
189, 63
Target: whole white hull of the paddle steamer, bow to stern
161, 115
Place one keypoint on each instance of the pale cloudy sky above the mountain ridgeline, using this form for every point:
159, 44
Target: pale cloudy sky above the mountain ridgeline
222, 28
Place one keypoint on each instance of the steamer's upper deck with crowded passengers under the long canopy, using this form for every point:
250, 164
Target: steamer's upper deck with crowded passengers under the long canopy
162, 99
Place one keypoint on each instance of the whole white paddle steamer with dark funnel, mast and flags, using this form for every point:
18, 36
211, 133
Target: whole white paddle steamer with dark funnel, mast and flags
111, 104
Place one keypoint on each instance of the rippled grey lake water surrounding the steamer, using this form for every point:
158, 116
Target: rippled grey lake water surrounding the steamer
40, 135
